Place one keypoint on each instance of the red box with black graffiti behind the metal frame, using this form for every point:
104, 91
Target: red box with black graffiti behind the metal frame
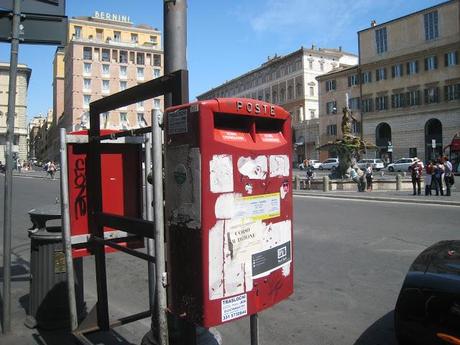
121, 172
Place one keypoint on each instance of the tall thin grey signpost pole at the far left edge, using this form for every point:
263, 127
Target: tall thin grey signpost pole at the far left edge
8, 201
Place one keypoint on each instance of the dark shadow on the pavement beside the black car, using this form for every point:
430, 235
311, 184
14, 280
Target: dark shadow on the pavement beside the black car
381, 332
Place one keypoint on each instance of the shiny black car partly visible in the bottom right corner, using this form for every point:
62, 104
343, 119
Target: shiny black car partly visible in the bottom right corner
428, 306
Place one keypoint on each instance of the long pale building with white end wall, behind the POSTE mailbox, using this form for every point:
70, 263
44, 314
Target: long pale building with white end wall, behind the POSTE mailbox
290, 81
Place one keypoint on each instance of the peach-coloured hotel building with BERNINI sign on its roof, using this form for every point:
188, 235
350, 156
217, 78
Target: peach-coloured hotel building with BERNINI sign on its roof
105, 54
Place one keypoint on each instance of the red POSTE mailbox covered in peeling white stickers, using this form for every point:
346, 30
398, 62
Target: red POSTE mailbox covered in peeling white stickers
228, 208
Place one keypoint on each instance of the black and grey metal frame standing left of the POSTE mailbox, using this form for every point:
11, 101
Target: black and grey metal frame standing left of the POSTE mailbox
174, 85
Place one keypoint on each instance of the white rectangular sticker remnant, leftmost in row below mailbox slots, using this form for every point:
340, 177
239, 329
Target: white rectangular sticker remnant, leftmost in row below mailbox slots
221, 174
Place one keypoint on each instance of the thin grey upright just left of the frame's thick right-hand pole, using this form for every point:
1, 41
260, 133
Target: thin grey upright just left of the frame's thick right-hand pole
149, 216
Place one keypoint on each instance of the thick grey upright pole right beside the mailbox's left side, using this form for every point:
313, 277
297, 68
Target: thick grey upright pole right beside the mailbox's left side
157, 155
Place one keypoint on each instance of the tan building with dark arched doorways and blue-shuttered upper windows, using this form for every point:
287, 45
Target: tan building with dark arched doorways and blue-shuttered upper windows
409, 83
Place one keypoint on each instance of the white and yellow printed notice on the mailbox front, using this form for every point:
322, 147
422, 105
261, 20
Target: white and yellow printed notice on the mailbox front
258, 207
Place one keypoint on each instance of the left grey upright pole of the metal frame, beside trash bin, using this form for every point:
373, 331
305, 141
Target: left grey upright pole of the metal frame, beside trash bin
66, 236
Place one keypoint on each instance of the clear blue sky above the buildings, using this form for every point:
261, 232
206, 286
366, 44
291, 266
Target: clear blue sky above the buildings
228, 38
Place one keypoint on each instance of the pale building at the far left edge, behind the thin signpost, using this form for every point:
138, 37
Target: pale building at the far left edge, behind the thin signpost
20, 124
